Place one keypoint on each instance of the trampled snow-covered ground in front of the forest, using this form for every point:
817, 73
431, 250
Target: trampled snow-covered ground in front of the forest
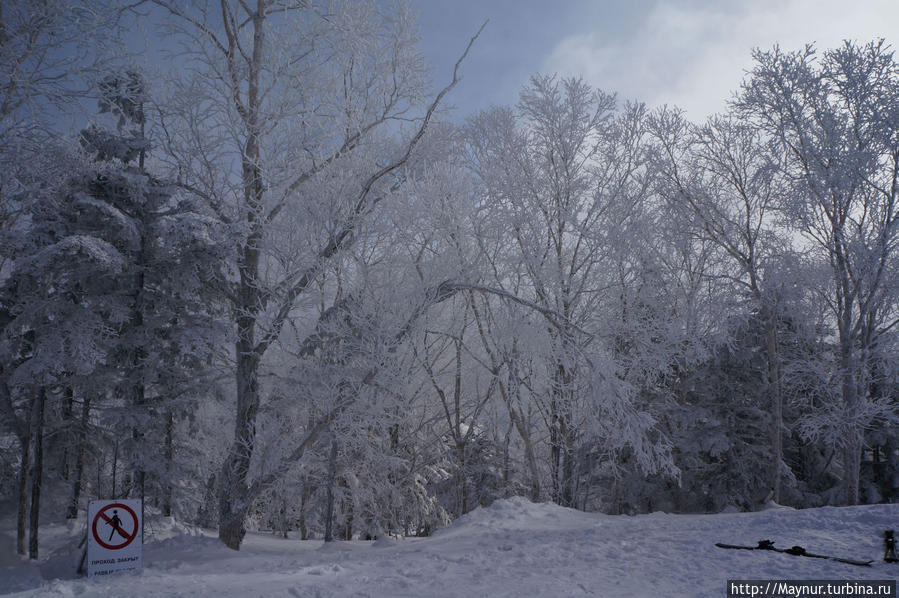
514, 548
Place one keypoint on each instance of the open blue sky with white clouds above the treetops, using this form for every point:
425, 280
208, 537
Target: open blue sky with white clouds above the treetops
689, 53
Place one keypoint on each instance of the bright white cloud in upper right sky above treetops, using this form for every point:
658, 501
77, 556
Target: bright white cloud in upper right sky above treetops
695, 56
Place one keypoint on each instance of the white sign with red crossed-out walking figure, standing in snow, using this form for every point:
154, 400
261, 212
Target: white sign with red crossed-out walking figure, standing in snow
114, 536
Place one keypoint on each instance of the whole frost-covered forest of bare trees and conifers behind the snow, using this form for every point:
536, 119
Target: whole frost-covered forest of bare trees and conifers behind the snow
268, 282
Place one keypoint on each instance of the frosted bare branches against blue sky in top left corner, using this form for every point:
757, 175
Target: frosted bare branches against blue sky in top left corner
49, 52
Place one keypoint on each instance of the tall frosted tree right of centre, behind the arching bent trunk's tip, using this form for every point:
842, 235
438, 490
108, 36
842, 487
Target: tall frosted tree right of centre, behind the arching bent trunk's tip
562, 177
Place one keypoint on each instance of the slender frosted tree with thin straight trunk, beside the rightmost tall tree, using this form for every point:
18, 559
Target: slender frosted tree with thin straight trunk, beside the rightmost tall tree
724, 177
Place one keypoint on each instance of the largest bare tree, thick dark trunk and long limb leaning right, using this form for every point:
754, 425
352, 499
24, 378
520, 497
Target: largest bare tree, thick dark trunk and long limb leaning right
283, 97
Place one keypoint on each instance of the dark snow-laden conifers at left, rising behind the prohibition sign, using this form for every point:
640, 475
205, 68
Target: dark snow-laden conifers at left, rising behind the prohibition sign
114, 279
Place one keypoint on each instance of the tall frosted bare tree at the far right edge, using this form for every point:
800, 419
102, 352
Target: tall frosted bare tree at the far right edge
835, 119
